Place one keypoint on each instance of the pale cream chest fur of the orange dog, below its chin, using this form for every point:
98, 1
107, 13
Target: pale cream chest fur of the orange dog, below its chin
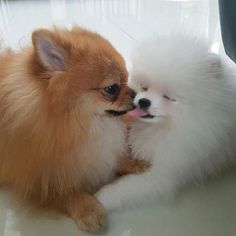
103, 149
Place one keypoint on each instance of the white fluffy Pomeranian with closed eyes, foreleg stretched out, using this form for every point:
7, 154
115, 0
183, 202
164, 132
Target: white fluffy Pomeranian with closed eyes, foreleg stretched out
185, 119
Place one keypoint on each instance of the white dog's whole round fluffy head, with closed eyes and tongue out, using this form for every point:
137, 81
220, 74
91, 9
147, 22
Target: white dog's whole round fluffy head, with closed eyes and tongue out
173, 78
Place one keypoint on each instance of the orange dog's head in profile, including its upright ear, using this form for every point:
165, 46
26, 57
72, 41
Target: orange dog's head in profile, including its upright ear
82, 71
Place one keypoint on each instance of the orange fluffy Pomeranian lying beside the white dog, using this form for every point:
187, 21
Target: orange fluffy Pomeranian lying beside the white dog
60, 139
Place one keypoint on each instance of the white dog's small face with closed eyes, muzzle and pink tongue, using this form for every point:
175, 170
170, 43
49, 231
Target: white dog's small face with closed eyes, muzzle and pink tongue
154, 102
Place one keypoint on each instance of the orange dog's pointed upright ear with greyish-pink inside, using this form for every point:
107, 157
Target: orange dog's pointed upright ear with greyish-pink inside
50, 54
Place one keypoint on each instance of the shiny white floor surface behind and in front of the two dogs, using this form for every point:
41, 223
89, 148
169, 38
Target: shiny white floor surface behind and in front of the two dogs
208, 210
